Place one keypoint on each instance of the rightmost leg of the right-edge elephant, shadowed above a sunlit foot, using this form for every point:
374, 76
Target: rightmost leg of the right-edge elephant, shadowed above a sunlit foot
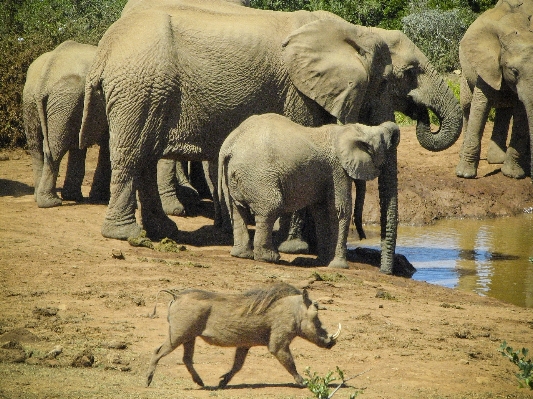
518, 145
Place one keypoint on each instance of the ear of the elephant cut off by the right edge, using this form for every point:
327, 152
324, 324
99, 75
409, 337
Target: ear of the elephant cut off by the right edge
480, 46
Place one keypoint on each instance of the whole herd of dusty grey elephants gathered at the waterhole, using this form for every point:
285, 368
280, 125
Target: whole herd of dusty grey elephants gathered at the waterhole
283, 110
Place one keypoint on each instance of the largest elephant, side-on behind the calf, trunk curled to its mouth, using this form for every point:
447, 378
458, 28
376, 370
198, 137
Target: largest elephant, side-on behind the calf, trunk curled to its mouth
177, 79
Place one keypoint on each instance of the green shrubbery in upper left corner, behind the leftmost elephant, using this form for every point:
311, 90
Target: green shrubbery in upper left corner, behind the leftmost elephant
28, 28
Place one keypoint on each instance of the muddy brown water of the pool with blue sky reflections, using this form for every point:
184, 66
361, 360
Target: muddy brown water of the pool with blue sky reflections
489, 257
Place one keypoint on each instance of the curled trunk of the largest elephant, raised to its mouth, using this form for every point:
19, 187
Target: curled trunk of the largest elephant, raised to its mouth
433, 93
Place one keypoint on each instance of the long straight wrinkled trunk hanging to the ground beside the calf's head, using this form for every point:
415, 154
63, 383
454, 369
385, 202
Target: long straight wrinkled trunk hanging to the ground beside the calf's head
388, 201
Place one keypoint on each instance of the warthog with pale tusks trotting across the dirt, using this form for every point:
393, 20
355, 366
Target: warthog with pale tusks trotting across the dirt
271, 316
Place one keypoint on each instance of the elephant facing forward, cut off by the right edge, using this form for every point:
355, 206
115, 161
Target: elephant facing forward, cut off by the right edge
495, 55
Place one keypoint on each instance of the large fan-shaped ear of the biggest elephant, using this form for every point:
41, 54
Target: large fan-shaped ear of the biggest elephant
329, 61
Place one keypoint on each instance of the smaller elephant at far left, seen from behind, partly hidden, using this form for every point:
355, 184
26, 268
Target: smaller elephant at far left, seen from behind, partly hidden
52, 103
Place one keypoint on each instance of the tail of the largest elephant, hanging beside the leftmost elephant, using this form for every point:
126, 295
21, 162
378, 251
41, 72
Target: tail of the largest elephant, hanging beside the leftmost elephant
93, 108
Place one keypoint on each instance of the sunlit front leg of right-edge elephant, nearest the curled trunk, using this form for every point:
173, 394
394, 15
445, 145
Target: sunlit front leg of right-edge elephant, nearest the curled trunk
470, 151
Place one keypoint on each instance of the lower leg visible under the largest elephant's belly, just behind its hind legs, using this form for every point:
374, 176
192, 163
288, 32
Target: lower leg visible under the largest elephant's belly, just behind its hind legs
167, 183
